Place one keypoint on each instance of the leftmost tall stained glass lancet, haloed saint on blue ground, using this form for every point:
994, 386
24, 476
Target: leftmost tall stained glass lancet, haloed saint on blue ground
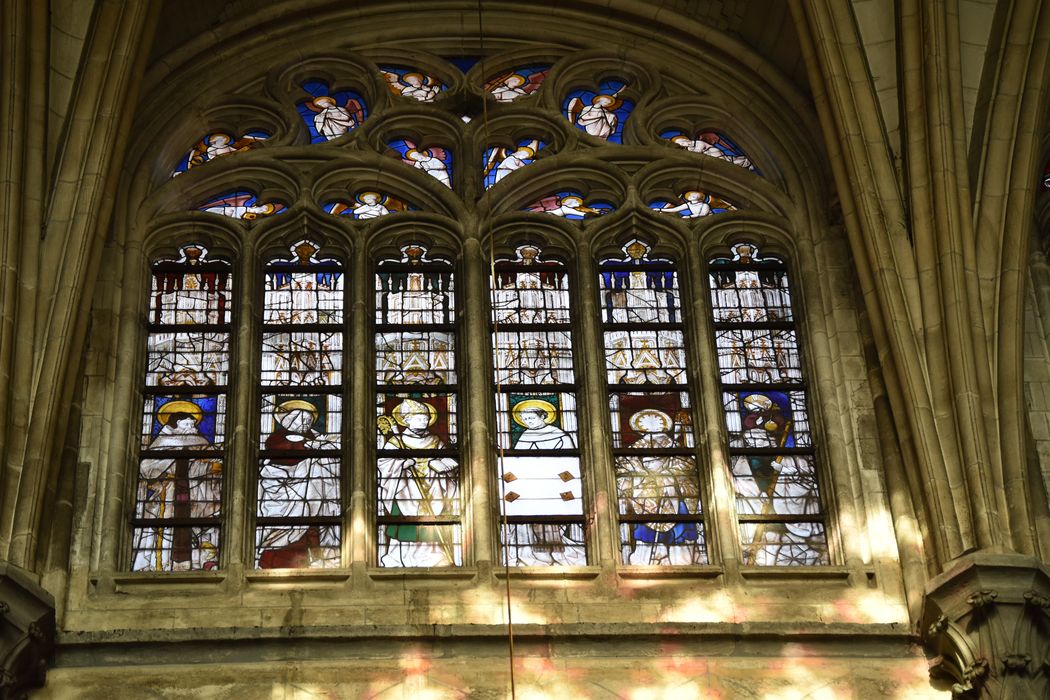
176, 525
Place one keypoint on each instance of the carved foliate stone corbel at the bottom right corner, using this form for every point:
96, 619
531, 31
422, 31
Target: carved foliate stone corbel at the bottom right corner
986, 624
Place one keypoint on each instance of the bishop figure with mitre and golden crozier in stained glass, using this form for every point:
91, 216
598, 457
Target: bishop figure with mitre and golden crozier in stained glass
417, 486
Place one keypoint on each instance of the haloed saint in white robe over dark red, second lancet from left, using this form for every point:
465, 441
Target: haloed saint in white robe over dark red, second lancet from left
297, 487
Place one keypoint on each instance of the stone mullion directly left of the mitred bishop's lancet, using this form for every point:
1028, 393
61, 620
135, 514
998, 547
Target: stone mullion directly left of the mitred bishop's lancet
360, 539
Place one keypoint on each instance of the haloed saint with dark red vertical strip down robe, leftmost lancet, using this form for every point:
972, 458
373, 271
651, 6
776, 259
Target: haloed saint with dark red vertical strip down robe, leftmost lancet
180, 487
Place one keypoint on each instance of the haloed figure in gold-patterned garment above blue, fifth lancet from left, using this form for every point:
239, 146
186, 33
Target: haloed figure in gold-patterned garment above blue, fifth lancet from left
660, 485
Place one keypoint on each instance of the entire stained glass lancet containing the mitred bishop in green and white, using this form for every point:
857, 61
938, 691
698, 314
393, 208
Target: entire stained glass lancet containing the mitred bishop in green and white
417, 435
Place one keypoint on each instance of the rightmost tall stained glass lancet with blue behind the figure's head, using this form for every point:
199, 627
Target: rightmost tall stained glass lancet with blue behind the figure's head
766, 407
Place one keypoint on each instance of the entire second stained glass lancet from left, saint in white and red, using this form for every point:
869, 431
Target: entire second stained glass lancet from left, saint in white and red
300, 510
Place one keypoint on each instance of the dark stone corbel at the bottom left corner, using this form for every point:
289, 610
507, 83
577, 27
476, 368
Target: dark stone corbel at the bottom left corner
27, 632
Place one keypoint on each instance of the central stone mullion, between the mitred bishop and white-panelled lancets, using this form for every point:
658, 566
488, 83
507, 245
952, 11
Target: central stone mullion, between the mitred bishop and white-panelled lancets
478, 446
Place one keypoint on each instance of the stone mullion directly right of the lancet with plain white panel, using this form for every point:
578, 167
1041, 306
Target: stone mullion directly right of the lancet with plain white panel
593, 399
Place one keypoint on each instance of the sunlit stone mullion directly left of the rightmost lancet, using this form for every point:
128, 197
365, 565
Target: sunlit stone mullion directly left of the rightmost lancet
721, 523
